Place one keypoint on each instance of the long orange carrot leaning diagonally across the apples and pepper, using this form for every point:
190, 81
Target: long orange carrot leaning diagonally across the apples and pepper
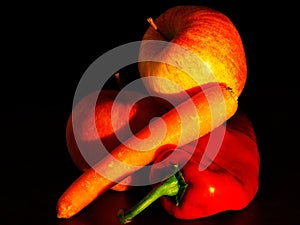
186, 122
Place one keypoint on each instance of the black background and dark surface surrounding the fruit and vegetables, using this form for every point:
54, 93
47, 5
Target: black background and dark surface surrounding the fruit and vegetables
48, 49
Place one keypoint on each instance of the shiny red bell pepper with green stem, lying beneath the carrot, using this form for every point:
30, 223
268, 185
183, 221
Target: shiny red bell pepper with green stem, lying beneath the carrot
230, 182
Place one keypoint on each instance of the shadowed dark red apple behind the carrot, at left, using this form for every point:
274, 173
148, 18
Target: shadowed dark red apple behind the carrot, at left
82, 114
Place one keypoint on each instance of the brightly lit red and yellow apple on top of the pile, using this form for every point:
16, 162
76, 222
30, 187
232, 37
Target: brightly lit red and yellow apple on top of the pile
203, 31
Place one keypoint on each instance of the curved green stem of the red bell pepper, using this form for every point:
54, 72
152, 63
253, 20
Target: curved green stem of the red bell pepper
174, 186
